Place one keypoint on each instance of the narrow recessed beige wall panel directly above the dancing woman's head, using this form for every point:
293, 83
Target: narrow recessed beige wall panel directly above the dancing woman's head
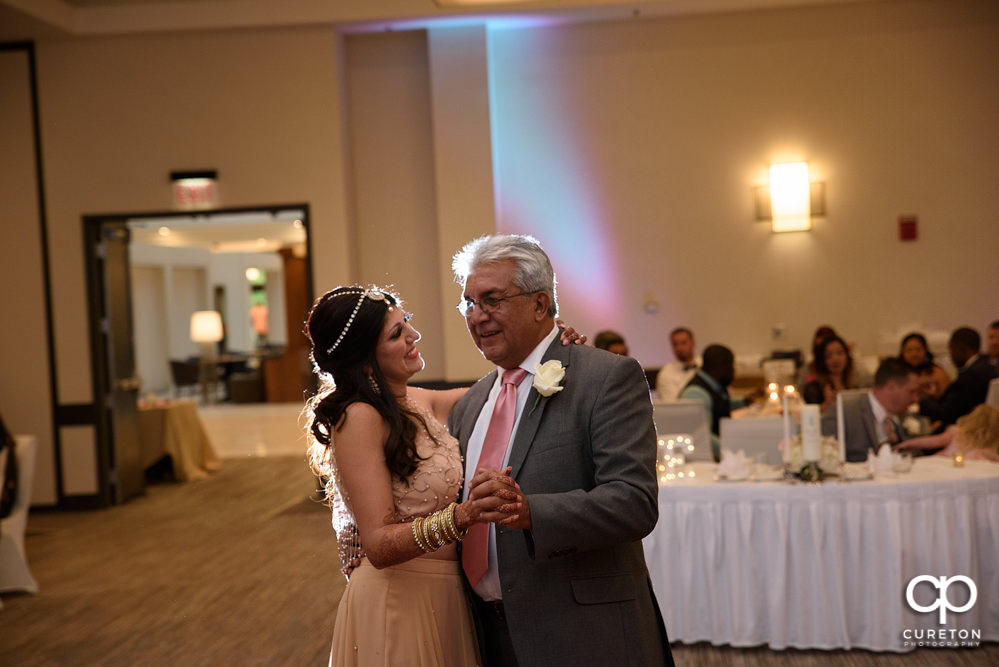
392, 176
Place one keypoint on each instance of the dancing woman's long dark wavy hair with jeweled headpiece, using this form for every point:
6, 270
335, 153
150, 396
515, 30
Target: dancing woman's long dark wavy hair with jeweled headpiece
344, 377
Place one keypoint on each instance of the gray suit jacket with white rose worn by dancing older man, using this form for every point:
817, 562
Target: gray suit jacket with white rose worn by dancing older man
575, 588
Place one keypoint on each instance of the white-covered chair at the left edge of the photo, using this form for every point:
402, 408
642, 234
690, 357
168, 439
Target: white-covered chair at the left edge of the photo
14, 572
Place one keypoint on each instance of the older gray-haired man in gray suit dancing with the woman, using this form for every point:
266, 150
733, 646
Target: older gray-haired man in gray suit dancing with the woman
564, 582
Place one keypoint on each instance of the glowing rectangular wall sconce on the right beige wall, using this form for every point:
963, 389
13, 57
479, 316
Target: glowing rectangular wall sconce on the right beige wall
791, 200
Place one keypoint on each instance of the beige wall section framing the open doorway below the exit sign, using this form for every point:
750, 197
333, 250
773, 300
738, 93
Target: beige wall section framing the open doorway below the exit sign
118, 114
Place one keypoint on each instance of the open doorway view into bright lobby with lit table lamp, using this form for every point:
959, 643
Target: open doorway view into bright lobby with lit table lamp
248, 267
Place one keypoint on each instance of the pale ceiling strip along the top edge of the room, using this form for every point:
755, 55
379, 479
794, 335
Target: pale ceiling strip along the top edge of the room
35, 20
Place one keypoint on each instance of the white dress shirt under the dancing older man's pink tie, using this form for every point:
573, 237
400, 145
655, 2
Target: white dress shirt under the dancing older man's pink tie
489, 586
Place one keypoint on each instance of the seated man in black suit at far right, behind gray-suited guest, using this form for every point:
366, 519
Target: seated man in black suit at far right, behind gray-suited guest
972, 384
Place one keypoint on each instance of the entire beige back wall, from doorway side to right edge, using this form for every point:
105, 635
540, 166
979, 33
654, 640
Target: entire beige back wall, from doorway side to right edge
630, 148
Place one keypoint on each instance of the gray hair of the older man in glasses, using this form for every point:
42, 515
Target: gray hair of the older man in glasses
533, 272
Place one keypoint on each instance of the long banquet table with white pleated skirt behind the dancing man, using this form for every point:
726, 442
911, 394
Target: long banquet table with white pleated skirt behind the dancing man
827, 565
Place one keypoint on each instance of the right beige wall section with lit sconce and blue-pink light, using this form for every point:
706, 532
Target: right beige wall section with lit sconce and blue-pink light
630, 149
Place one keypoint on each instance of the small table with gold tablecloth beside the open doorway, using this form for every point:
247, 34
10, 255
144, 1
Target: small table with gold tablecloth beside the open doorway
173, 428
